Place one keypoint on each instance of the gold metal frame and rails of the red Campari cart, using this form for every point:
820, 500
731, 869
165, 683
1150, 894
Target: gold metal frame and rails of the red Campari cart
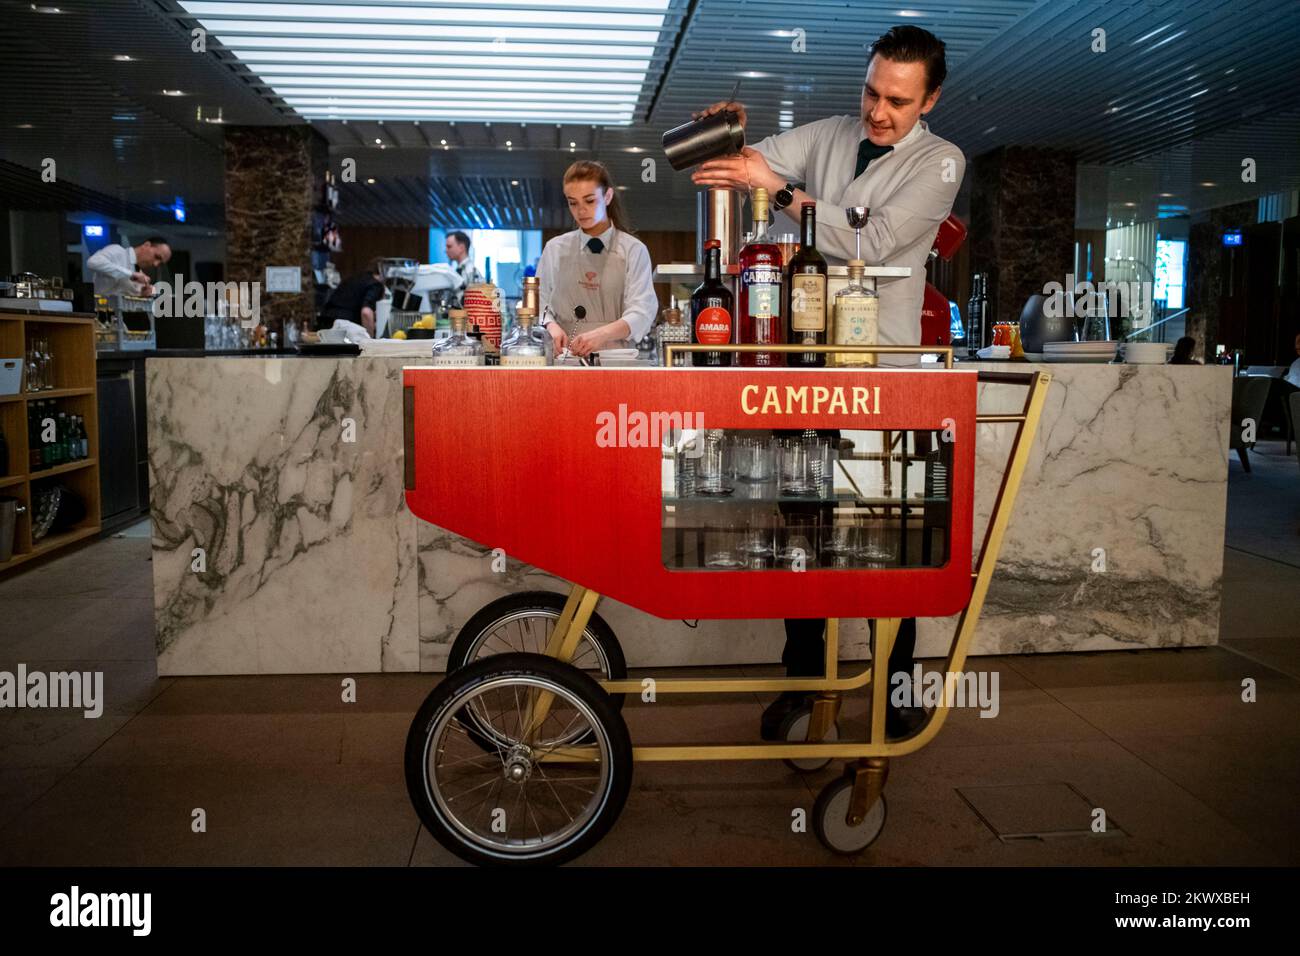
872, 756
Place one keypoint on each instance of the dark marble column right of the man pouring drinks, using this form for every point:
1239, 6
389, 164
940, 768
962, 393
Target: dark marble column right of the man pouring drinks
1022, 224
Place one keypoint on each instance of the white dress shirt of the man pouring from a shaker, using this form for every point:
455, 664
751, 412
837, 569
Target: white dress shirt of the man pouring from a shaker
909, 191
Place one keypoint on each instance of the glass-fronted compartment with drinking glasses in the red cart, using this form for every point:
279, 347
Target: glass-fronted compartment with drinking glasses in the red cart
861, 500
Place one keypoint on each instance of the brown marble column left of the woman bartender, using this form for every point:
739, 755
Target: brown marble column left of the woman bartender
275, 178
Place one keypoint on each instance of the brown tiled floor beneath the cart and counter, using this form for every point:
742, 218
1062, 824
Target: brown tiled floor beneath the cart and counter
287, 773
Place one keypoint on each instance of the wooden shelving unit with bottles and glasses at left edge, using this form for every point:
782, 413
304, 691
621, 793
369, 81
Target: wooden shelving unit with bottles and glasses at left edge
72, 343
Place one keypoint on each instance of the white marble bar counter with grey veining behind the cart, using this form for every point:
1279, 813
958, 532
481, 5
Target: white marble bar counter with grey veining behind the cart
283, 543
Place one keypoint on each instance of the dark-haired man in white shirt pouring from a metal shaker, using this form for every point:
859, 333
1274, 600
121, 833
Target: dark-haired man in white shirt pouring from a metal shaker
886, 159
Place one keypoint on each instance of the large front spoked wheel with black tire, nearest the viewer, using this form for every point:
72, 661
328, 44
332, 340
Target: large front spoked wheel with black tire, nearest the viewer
534, 798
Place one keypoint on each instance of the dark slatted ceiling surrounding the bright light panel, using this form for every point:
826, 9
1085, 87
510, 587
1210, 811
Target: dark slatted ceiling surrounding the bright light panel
1181, 97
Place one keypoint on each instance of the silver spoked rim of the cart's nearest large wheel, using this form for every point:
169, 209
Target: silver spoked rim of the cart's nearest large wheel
509, 802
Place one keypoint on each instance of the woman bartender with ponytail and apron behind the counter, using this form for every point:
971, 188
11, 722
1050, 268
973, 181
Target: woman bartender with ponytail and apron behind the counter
596, 280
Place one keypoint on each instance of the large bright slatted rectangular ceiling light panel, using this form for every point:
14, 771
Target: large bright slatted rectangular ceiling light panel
528, 62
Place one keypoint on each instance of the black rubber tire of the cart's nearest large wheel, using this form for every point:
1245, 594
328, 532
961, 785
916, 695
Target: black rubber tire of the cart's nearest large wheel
558, 674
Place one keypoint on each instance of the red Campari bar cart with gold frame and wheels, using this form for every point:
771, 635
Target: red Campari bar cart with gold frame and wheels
718, 494
